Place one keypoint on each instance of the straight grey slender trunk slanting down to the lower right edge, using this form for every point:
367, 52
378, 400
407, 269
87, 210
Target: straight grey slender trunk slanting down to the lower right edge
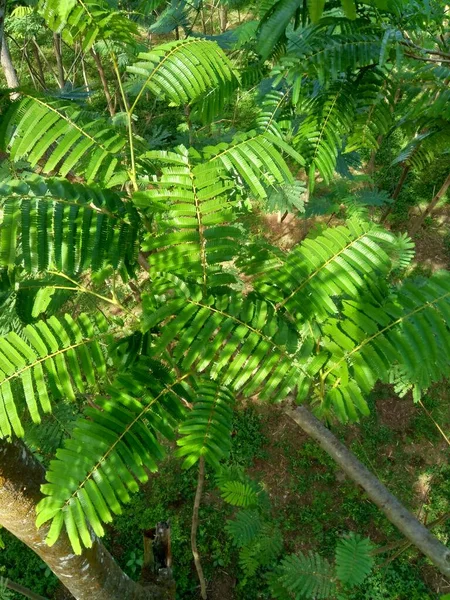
397, 514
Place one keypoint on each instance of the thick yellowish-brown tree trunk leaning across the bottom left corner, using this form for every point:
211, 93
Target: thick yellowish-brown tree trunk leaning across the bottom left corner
93, 574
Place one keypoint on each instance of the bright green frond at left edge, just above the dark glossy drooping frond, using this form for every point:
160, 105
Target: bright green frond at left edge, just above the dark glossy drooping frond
60, 137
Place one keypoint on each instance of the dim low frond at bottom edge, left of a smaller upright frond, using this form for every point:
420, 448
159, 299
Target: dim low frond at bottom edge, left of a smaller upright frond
307, 576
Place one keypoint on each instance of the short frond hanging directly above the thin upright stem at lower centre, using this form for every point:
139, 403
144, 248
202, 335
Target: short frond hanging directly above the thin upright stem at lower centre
207, 430
